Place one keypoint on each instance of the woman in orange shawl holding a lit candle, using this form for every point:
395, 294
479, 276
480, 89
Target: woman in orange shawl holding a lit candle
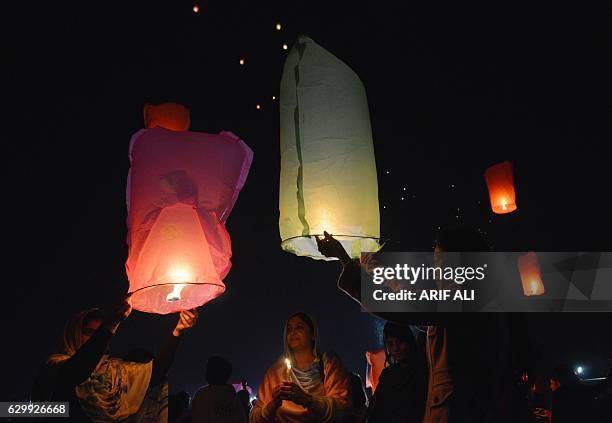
303, 386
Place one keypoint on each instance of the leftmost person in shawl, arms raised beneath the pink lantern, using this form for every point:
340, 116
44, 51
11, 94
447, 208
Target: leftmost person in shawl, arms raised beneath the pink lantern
98, 387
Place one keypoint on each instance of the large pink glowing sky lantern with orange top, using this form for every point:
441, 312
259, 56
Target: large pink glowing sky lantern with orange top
181, 188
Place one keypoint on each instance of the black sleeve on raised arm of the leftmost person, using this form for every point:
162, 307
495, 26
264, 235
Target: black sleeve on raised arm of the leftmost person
80, 366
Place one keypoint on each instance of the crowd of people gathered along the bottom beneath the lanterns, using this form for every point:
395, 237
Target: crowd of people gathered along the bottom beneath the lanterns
439, 367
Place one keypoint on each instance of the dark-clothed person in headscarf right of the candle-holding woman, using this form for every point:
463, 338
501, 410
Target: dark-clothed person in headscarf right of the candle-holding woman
402, 387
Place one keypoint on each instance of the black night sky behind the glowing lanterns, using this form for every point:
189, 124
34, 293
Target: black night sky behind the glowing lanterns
451, 91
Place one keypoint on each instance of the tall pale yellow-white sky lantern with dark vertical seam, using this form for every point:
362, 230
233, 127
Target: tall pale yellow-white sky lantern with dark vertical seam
328, 171
